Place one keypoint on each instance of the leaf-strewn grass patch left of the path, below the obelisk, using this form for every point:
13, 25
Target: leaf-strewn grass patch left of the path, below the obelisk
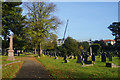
10, 70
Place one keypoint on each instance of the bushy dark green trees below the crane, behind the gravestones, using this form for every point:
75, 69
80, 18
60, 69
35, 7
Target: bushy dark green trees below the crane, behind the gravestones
73, 47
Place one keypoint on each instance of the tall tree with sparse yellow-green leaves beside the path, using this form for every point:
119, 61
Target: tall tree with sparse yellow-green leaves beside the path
40, 22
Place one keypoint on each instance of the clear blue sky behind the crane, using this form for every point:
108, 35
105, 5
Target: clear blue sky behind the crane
87, 20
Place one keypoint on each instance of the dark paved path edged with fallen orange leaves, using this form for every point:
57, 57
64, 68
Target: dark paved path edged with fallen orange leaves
32, 69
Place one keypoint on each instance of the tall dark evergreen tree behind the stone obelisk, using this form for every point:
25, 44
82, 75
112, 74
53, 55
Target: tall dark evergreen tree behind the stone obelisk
12, 21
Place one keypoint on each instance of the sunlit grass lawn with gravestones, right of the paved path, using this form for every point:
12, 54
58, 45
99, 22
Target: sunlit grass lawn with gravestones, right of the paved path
59, 69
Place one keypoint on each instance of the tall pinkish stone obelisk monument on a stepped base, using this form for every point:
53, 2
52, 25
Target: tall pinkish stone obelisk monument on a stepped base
11, 51
